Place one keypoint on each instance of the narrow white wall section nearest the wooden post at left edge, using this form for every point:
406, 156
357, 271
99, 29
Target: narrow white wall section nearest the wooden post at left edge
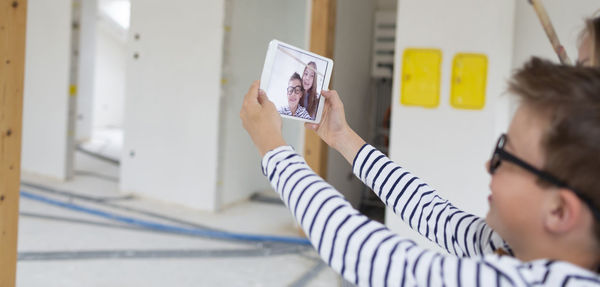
46, 92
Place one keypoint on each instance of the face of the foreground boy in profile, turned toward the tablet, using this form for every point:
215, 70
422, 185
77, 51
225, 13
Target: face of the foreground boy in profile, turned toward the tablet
513, 211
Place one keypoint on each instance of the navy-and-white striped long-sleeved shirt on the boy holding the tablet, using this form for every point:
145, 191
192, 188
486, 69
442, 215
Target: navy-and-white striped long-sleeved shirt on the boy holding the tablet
369, 254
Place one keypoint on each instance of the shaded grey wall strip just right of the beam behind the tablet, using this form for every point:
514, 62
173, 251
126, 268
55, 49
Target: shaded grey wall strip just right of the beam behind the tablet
351, 79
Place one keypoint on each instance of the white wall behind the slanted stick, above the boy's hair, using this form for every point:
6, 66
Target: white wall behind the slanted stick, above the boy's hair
530, 38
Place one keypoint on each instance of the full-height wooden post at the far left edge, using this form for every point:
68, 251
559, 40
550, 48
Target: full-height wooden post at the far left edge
13, 16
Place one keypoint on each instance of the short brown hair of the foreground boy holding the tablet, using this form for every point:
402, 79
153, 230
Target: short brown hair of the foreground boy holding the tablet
568, 98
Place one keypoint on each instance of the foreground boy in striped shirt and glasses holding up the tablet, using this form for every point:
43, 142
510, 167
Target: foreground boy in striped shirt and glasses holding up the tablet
543, 205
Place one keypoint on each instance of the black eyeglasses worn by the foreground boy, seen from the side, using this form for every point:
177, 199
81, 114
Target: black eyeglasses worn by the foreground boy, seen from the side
500, 154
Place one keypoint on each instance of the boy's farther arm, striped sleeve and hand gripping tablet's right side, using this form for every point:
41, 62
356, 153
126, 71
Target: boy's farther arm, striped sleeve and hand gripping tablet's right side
414, 201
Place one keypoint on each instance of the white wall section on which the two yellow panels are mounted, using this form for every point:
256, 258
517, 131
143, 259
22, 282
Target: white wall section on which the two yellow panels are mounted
444, 146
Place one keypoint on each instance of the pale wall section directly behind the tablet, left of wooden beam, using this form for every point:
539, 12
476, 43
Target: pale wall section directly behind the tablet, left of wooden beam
248, 34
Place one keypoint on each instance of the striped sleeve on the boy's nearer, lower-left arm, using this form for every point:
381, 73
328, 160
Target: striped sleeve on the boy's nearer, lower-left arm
363, 251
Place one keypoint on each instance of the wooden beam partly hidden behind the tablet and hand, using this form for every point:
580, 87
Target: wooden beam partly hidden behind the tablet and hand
322, 38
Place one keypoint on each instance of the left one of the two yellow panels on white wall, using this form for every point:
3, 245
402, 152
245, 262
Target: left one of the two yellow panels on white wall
421, 73
